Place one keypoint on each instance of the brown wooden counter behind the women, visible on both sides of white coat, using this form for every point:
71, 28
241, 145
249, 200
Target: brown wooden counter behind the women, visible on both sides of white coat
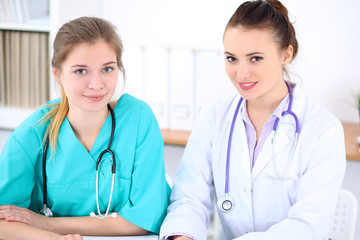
351, 130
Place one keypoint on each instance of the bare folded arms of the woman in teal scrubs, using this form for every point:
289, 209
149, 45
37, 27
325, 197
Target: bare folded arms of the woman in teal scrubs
21, 221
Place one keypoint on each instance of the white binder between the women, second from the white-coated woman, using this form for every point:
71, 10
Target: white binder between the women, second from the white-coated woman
181, 89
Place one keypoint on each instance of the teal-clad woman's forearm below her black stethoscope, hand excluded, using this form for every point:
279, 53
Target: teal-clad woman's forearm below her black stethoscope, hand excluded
94, 227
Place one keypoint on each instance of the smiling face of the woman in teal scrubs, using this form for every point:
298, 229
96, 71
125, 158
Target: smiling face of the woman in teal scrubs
89, 76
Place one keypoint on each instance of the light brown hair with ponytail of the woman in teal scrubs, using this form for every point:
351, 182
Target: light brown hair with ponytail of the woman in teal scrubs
81, 30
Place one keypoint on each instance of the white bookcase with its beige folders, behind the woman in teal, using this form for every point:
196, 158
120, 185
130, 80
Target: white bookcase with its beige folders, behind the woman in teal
31, 18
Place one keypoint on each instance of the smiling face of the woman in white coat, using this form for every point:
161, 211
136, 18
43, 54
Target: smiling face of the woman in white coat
254, 63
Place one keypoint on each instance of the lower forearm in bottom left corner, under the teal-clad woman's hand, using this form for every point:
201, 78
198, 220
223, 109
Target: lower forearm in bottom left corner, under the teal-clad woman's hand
18, 230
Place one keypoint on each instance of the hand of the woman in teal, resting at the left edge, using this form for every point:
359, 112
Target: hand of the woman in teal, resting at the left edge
17, 214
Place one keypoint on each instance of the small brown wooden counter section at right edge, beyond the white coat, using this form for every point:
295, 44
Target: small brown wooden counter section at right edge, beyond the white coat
352, 132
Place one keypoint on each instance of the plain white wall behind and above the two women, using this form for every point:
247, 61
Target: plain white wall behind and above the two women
327, 30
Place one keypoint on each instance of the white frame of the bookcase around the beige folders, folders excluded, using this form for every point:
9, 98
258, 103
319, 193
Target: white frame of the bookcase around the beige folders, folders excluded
45, 16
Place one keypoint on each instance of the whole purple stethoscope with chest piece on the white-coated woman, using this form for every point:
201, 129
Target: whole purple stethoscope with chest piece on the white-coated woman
226, 203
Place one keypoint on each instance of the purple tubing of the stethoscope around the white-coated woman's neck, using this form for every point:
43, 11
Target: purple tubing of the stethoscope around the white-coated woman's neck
288, 111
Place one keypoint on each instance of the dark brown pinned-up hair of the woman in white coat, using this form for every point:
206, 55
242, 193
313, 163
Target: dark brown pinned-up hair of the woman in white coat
269, 14
